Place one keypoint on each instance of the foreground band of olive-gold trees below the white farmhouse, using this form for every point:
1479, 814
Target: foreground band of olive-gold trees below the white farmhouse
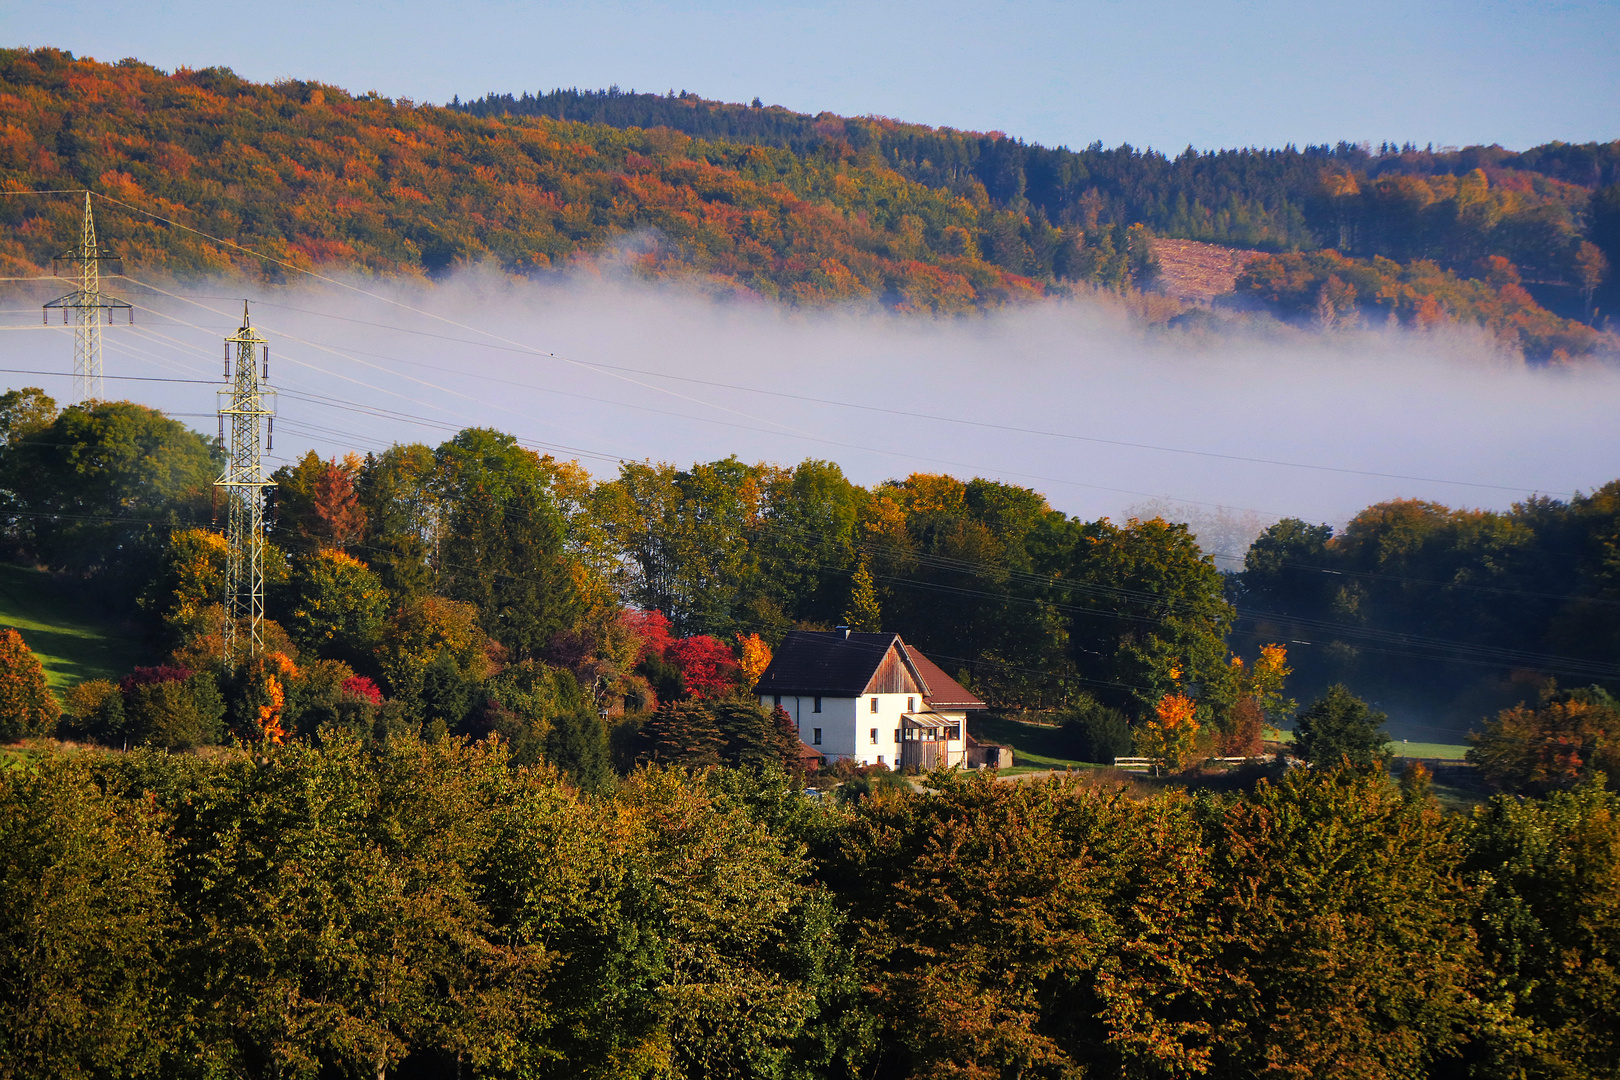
424, 909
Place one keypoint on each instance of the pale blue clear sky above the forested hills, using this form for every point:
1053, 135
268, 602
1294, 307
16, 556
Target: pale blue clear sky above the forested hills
1161, 74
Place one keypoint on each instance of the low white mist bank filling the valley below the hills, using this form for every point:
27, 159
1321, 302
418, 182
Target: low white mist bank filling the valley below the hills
1310, 427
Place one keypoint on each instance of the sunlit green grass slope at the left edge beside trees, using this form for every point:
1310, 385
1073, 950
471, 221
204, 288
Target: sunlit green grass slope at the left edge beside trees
72, 642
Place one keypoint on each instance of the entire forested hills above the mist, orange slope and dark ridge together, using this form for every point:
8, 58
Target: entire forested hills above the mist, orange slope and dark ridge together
803, 210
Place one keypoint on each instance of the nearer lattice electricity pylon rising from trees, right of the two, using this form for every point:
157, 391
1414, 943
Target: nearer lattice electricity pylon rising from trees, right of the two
245, 485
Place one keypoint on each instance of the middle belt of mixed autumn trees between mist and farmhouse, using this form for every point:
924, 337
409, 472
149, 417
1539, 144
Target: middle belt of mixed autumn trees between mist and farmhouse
427, 572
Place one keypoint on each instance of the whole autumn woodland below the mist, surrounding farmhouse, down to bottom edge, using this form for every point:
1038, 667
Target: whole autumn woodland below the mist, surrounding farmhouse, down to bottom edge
495, 801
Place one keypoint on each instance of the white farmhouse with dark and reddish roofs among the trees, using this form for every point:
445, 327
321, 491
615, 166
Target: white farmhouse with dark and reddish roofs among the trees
869, 699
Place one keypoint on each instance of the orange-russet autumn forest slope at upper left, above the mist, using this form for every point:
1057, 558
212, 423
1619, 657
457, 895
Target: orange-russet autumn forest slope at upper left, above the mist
317, 177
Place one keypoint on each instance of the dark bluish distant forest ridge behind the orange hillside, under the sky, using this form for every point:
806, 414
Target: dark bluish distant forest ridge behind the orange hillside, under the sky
1451, 206
